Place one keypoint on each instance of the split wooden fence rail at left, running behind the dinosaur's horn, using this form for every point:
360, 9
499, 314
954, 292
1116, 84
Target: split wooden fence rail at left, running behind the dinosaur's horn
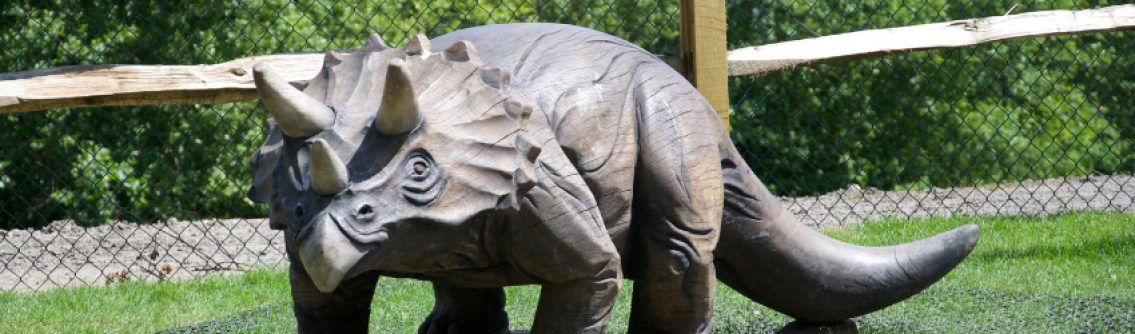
100, 86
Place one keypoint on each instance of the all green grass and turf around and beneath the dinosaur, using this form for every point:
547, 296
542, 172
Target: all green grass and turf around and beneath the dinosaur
1064, 274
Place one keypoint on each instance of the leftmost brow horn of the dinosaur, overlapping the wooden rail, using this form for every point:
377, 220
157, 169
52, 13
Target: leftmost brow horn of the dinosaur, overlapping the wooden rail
297, 114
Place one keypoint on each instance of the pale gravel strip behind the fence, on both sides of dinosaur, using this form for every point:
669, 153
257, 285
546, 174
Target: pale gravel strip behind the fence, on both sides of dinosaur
68, 255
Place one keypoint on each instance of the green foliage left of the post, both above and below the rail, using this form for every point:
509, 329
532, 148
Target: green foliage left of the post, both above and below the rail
149, 164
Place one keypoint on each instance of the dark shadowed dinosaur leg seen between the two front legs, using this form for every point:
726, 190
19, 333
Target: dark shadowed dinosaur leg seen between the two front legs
467, 311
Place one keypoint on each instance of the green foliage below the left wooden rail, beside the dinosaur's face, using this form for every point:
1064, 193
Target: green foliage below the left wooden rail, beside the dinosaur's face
136, 164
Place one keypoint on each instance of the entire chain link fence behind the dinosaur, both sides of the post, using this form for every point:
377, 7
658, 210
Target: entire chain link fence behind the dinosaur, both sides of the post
95, 196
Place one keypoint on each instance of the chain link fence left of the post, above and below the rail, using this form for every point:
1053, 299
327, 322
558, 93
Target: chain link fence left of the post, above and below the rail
95, 196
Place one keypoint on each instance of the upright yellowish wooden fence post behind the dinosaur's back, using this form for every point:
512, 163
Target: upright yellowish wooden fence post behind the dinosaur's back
704, 51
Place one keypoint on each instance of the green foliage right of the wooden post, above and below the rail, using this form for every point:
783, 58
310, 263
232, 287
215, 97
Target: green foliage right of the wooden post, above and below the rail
1007, 112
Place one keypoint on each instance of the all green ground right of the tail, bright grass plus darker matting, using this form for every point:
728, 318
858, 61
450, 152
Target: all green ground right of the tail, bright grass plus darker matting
1072, 273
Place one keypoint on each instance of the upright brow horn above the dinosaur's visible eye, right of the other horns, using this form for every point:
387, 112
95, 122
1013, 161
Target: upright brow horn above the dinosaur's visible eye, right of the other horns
399, 113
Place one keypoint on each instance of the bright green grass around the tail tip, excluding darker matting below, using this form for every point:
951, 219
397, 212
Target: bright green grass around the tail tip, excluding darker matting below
1074, 254
